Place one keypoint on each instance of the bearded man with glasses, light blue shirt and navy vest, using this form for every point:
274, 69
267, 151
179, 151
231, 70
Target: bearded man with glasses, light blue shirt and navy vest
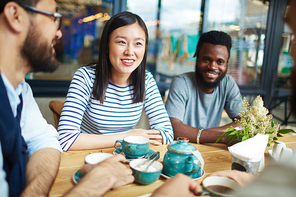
29, 29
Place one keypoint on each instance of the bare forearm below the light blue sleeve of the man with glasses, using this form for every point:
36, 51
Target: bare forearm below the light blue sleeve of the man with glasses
42, 169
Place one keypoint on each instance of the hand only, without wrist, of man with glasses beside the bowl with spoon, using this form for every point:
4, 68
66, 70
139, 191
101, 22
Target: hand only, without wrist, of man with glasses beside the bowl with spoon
111, 170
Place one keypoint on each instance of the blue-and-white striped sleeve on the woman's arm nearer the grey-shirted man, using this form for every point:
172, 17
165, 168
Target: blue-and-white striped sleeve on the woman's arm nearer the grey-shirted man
155, 110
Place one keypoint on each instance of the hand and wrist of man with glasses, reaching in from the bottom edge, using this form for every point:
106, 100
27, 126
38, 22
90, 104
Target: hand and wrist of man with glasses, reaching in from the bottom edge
100, 178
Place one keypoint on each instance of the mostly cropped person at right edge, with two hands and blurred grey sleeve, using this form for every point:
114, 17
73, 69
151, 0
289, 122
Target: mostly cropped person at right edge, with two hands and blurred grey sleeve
277, 179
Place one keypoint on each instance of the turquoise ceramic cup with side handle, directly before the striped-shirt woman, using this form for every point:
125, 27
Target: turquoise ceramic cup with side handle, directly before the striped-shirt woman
133, 146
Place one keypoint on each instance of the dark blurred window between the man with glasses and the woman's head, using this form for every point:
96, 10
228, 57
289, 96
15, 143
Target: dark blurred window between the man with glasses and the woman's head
82, 25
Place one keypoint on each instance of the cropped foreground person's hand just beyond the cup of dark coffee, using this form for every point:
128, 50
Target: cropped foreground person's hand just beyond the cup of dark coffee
242, 178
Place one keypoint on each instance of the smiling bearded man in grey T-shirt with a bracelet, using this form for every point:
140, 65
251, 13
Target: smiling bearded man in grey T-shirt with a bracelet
196, 100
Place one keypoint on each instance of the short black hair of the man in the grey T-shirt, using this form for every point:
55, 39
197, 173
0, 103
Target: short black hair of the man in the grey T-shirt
215, 38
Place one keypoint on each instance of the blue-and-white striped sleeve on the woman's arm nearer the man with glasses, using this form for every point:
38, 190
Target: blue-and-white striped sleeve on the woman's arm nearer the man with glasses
74, 107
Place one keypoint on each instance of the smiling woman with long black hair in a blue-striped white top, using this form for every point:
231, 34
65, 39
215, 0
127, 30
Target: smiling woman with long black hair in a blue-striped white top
105, 101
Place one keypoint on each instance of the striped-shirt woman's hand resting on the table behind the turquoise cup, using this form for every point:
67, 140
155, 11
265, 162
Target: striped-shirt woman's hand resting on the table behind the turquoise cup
153, 135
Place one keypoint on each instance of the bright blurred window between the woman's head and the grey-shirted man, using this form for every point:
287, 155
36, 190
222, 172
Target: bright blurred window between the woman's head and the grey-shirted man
173, 33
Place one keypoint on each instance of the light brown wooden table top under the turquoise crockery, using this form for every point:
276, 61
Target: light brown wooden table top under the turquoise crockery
216, 157
